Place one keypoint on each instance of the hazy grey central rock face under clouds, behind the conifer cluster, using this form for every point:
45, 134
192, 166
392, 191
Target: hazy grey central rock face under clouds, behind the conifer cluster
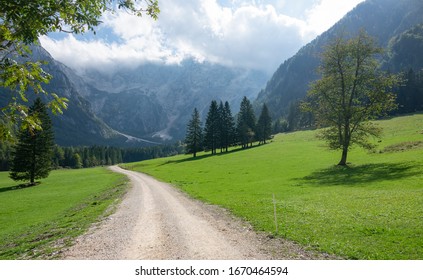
155, 101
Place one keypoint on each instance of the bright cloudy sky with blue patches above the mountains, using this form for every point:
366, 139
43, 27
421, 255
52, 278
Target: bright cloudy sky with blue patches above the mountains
254, 34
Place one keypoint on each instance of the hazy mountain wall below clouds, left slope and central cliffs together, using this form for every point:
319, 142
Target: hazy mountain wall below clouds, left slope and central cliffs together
147, 105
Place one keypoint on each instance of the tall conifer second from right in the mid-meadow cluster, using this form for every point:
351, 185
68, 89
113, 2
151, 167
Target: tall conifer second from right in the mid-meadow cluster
246, 123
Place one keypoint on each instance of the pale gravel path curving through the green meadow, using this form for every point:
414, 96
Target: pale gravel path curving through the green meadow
157, 221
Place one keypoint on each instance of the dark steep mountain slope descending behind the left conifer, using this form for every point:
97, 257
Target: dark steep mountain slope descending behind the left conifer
78, 125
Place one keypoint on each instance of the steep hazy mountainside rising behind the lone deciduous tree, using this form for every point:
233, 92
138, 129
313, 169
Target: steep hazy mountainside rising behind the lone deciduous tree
386, 20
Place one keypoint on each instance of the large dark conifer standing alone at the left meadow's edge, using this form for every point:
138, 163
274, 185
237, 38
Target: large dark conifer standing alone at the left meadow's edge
34, 151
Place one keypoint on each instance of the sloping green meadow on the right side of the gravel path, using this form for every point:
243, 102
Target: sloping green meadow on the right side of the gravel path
372, 209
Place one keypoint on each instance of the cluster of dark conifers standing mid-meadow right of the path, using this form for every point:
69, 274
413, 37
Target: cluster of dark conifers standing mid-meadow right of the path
222, 131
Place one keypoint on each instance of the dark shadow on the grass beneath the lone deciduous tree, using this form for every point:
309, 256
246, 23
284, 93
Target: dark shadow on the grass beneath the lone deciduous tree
362, 174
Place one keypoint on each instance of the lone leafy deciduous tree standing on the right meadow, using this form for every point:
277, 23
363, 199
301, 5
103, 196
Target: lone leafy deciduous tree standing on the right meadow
352, 91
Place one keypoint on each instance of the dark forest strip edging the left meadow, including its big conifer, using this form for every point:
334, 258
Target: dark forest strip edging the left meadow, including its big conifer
34, 153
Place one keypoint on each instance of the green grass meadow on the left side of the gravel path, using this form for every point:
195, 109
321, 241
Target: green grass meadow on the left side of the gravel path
36, 222
